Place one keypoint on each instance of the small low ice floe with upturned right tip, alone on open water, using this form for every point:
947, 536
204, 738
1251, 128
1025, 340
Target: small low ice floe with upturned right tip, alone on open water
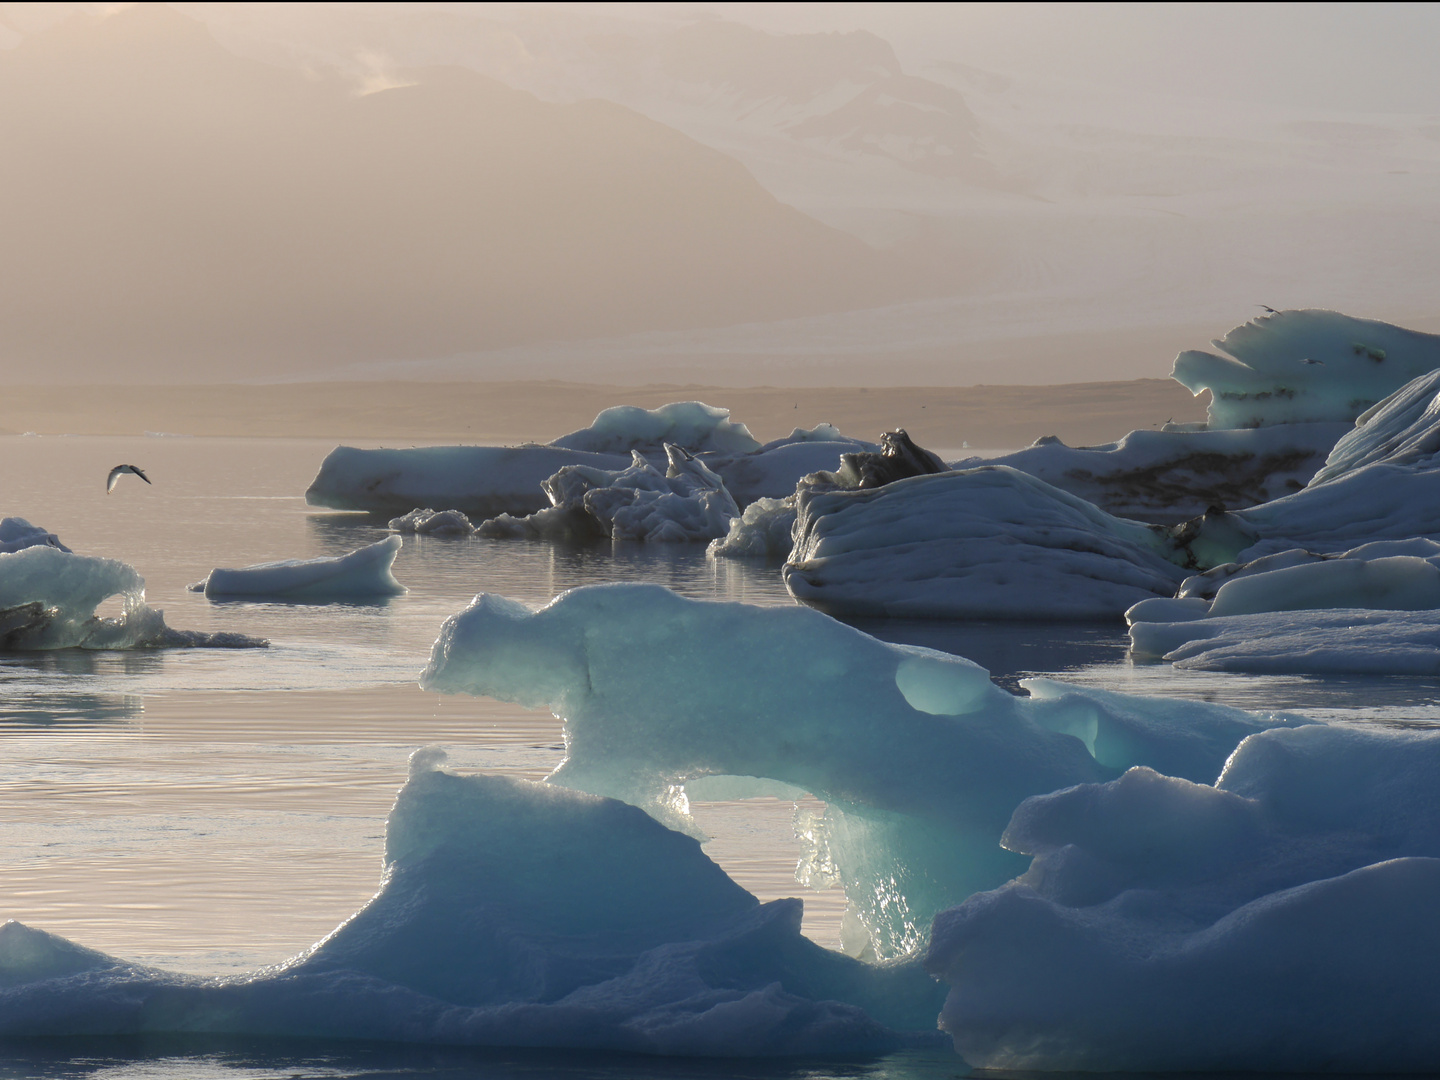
364, 572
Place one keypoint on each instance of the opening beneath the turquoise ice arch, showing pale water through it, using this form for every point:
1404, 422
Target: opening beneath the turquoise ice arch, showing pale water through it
754, 836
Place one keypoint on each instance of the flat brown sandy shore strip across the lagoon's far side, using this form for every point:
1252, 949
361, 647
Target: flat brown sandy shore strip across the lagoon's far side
984, 417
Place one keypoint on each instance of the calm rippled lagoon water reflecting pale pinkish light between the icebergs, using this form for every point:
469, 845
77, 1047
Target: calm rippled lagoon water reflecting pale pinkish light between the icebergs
218, 811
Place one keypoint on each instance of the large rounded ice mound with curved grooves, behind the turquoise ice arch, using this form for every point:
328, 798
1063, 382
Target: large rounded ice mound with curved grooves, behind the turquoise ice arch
984, 544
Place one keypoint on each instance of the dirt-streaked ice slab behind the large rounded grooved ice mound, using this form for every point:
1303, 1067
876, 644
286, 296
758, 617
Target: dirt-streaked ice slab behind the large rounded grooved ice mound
1173, 476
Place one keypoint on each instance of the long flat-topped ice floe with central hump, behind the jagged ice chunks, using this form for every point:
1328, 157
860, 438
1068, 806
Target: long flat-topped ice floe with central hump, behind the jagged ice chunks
489, 482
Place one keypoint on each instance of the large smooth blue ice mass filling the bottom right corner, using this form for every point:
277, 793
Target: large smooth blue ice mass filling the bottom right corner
1282, 921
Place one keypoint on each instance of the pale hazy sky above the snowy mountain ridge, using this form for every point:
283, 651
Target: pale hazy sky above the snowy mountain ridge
1340, 57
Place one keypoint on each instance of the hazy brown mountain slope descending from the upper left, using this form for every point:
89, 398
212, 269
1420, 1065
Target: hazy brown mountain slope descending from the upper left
179, 210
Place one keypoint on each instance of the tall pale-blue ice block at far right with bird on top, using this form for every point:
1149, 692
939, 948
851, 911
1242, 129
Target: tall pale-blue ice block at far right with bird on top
1311, 365
